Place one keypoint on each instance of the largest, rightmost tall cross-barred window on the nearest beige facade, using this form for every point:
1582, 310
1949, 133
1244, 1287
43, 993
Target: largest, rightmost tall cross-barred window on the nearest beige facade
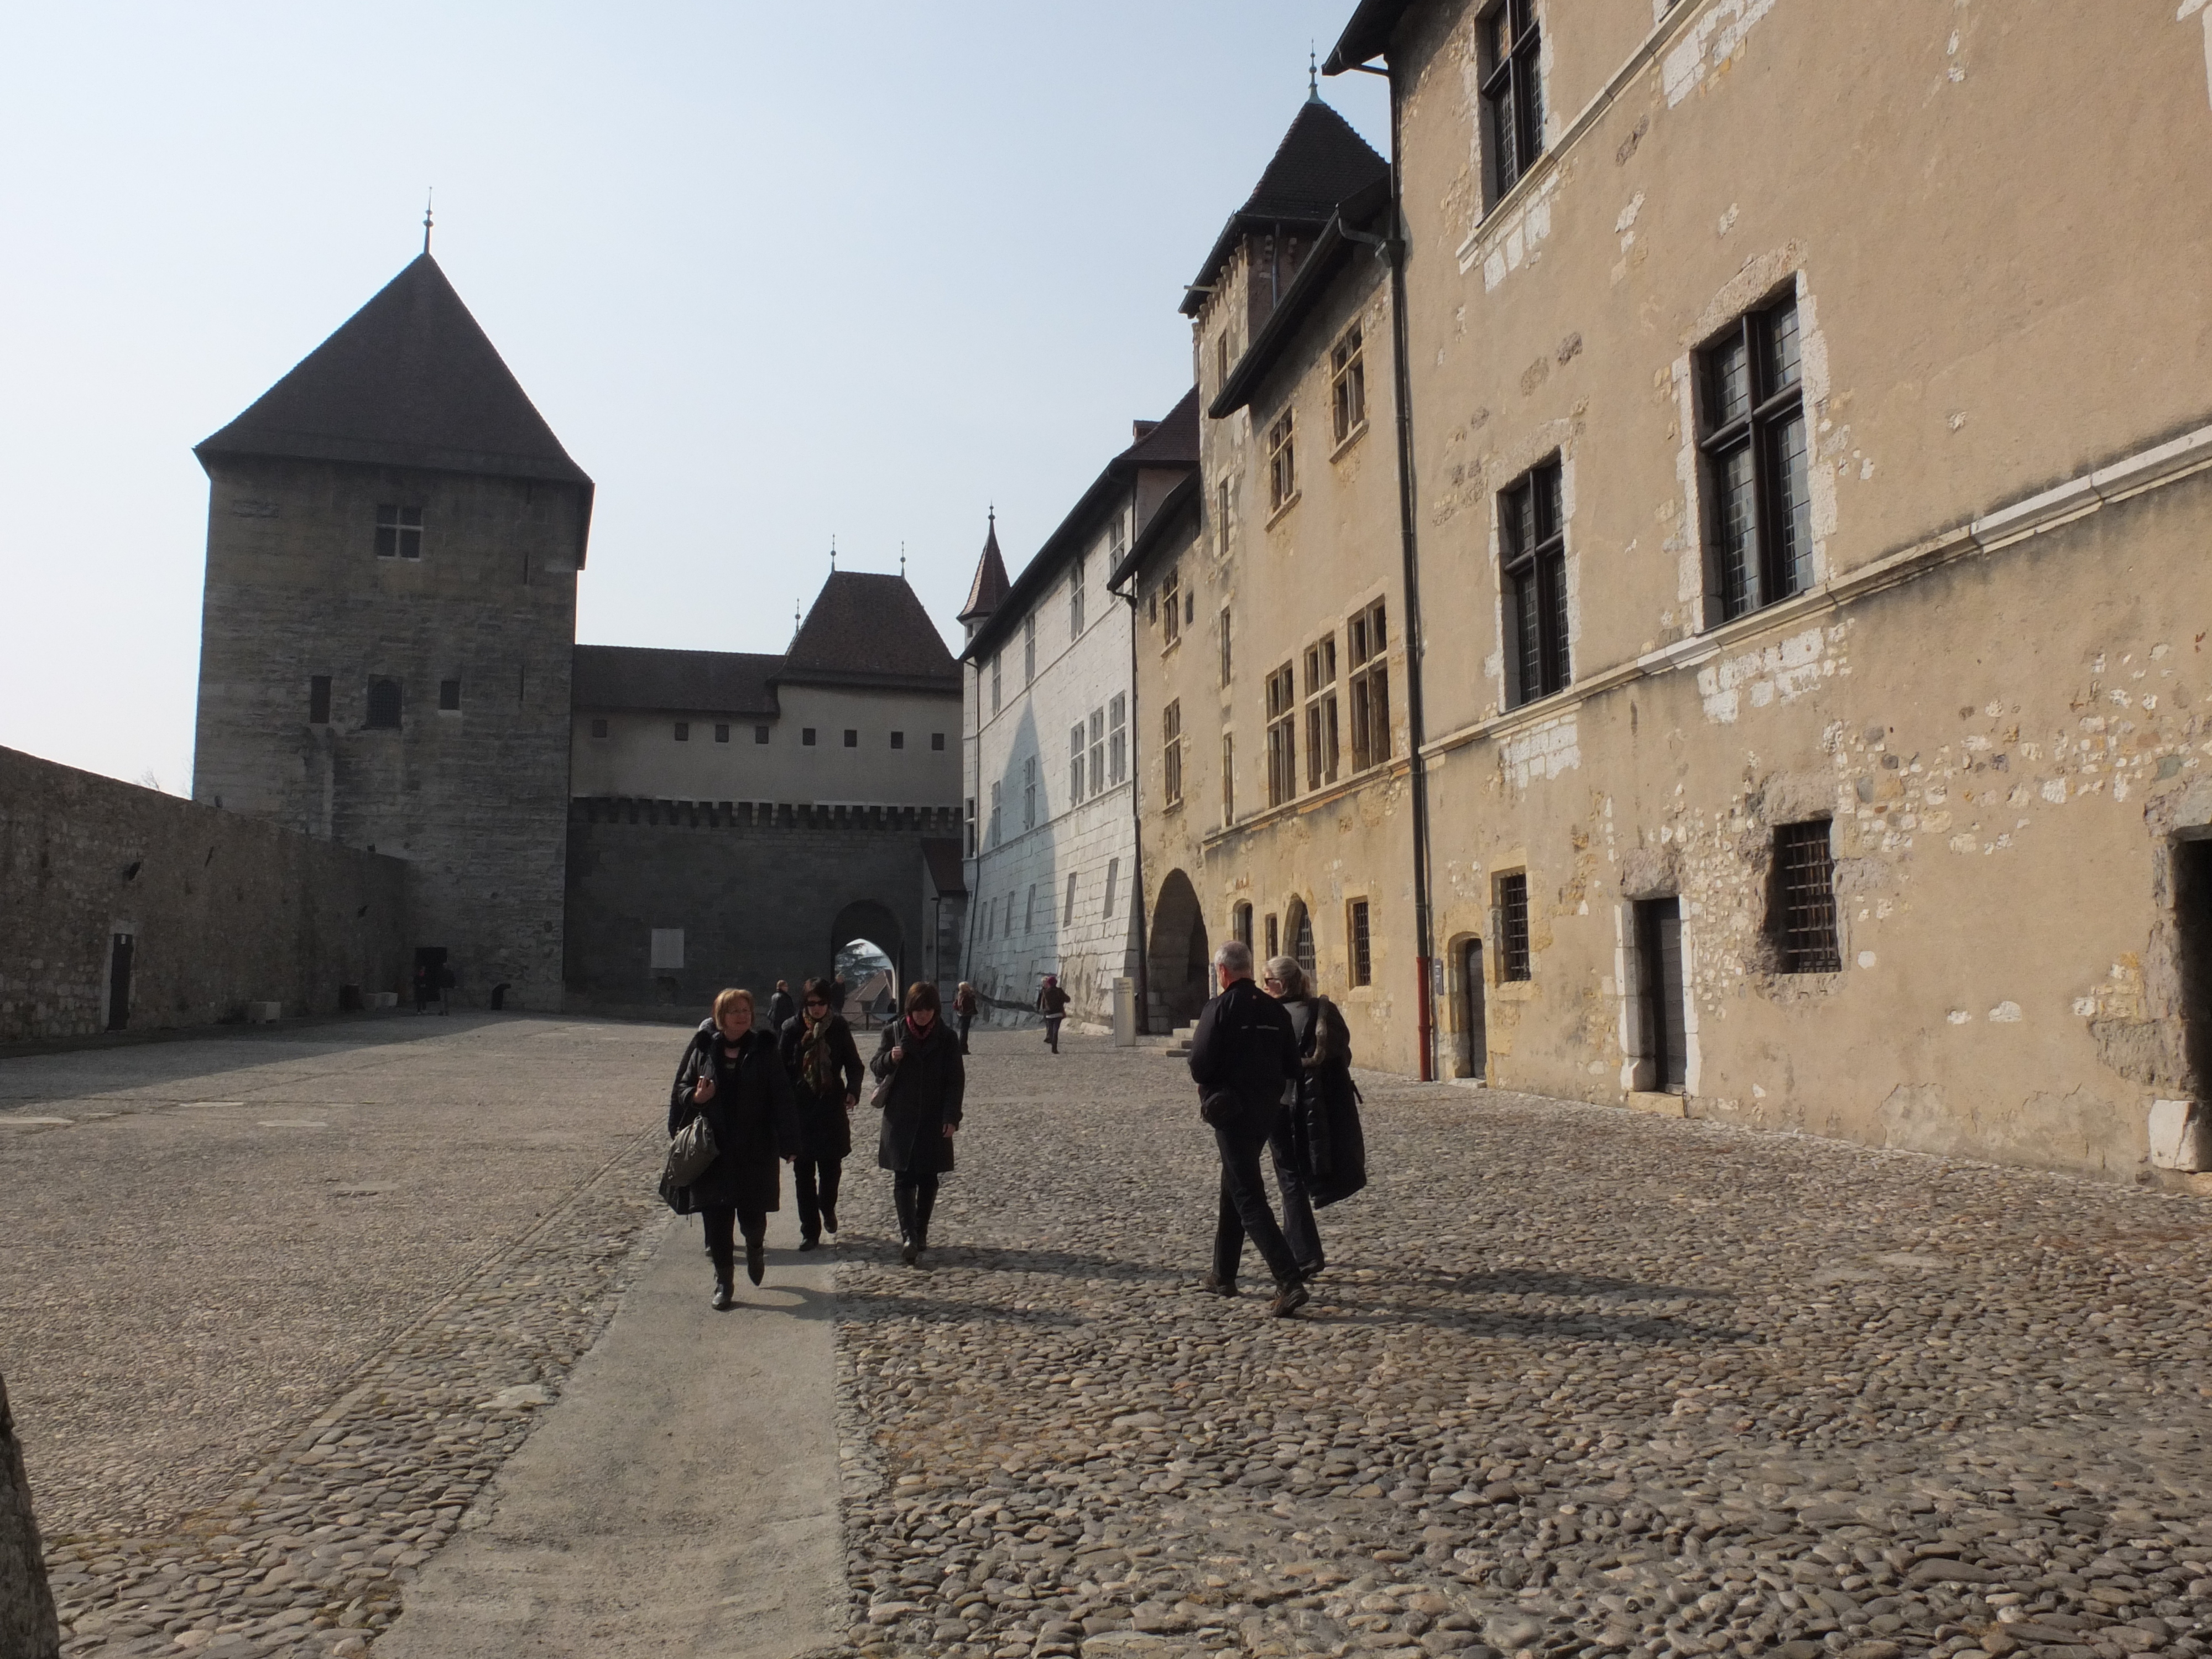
1753, 435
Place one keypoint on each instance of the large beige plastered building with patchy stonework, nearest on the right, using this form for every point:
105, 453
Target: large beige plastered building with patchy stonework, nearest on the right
1813, 461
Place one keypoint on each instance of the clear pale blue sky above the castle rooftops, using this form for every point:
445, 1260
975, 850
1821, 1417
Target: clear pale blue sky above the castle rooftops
773, 273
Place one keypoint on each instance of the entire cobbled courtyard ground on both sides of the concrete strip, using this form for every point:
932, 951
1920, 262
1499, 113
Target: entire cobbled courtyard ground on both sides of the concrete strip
1576, 1381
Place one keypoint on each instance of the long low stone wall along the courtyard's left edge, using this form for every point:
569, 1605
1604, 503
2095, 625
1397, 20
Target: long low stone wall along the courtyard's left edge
220, 910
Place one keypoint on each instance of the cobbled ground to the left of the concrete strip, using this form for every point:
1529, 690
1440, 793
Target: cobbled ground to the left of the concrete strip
273, 1308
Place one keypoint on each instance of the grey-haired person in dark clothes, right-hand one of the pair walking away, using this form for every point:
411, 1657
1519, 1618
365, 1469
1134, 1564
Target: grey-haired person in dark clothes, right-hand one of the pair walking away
1319, 1149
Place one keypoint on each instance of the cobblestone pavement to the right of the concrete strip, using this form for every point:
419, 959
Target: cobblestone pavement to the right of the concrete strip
1574, 1381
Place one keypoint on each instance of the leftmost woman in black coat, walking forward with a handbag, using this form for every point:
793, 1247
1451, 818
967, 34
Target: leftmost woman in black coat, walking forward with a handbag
733, 1076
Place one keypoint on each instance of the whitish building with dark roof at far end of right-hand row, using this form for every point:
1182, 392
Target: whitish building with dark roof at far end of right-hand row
1052, 839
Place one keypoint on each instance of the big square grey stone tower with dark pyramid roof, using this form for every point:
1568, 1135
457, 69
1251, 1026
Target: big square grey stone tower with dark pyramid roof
388, 625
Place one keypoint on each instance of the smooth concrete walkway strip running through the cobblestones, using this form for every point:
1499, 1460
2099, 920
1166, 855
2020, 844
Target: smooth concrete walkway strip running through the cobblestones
680, 1499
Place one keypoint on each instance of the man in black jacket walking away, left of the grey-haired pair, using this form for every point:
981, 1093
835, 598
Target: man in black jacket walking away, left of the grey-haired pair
1242, 1056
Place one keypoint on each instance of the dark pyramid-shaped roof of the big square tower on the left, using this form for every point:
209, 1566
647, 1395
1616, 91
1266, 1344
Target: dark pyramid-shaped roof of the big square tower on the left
408, 382
